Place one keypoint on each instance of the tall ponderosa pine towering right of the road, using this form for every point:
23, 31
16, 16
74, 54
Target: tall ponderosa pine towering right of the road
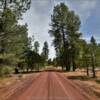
64, 28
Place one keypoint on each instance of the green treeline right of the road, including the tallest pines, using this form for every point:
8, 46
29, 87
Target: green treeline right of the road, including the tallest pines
71, 50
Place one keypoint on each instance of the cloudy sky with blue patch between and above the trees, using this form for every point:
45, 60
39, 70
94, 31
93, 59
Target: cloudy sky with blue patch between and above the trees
38, 18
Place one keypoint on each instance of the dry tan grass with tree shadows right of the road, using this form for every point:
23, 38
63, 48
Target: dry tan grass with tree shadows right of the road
82, 77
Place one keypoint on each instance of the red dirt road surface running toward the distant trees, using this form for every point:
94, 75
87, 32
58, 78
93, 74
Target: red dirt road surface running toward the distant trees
53, 86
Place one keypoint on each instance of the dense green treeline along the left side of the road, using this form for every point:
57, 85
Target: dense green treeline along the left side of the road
16, 50
